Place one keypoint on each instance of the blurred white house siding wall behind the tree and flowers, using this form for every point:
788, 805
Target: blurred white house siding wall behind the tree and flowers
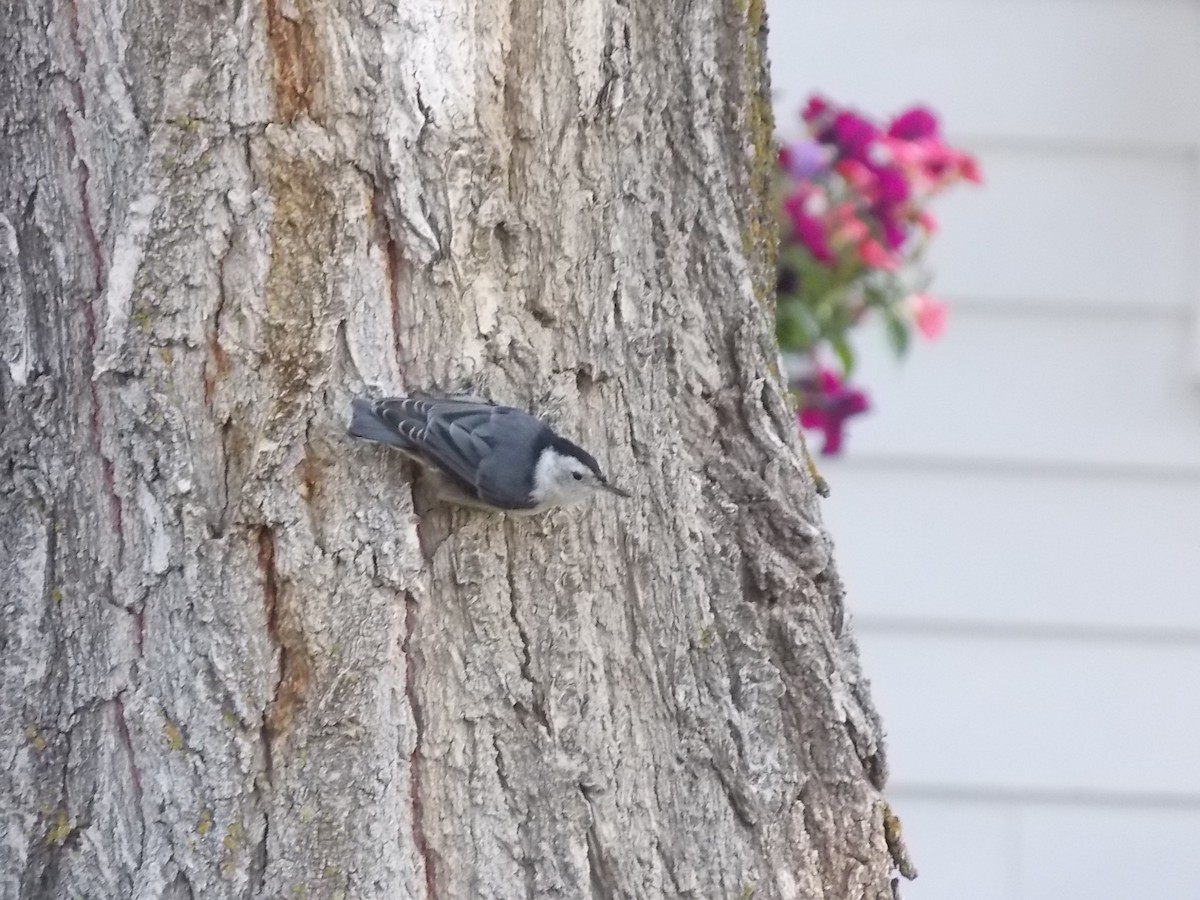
1018, 520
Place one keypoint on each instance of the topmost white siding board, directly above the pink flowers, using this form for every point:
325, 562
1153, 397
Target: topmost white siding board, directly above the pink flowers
1119, 71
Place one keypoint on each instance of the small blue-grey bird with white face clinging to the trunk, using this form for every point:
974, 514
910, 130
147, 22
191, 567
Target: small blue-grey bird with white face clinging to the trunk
483, 455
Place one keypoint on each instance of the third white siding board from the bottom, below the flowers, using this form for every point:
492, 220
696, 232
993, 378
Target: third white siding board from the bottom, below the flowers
1075, 554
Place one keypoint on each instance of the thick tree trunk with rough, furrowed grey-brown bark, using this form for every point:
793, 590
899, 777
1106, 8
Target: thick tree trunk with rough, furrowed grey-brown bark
236, 662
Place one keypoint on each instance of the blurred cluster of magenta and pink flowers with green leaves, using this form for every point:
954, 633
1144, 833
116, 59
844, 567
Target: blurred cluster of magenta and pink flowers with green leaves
855, 227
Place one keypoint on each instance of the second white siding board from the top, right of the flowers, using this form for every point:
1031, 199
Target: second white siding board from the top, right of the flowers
1082, 229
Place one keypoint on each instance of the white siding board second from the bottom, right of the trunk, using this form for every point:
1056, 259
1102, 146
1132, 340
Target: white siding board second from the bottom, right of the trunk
1039, 716
